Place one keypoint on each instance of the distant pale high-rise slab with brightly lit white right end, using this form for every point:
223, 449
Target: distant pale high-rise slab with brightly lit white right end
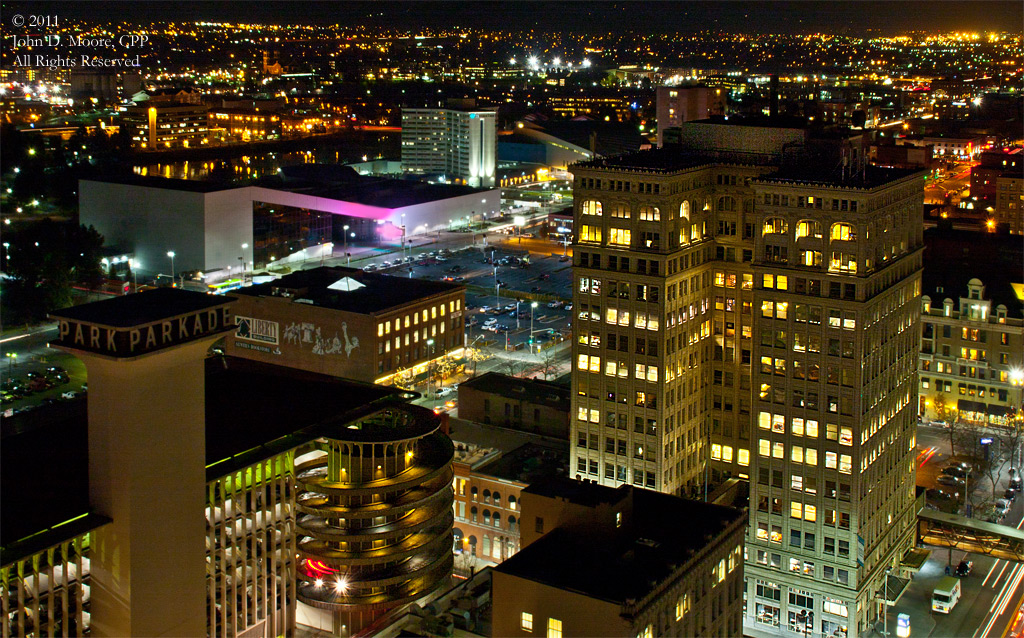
459, 145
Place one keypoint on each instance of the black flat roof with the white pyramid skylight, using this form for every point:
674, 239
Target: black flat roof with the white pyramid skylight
378, 293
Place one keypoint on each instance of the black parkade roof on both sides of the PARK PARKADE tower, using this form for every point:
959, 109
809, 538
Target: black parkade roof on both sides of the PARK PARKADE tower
248, 406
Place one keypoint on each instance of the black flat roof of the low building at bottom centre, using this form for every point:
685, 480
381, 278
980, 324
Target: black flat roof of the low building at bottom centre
664, 533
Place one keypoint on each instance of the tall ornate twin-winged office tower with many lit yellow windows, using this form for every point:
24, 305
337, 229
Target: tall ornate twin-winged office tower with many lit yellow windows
750, 309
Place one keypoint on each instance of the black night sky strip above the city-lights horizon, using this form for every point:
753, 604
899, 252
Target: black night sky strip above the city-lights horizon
788, 18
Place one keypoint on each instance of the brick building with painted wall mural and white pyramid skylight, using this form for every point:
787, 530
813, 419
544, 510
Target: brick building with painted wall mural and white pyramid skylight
350, 324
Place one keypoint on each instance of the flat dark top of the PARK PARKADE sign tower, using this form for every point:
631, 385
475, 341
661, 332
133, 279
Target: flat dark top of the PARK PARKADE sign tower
142, 309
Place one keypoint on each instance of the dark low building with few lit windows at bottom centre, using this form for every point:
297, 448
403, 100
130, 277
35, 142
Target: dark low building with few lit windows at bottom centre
608, 562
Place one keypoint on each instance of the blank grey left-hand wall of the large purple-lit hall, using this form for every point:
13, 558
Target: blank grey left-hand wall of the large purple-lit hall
150, 221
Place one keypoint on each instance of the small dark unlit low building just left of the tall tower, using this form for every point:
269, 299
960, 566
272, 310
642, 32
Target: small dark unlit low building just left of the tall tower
530, 405
